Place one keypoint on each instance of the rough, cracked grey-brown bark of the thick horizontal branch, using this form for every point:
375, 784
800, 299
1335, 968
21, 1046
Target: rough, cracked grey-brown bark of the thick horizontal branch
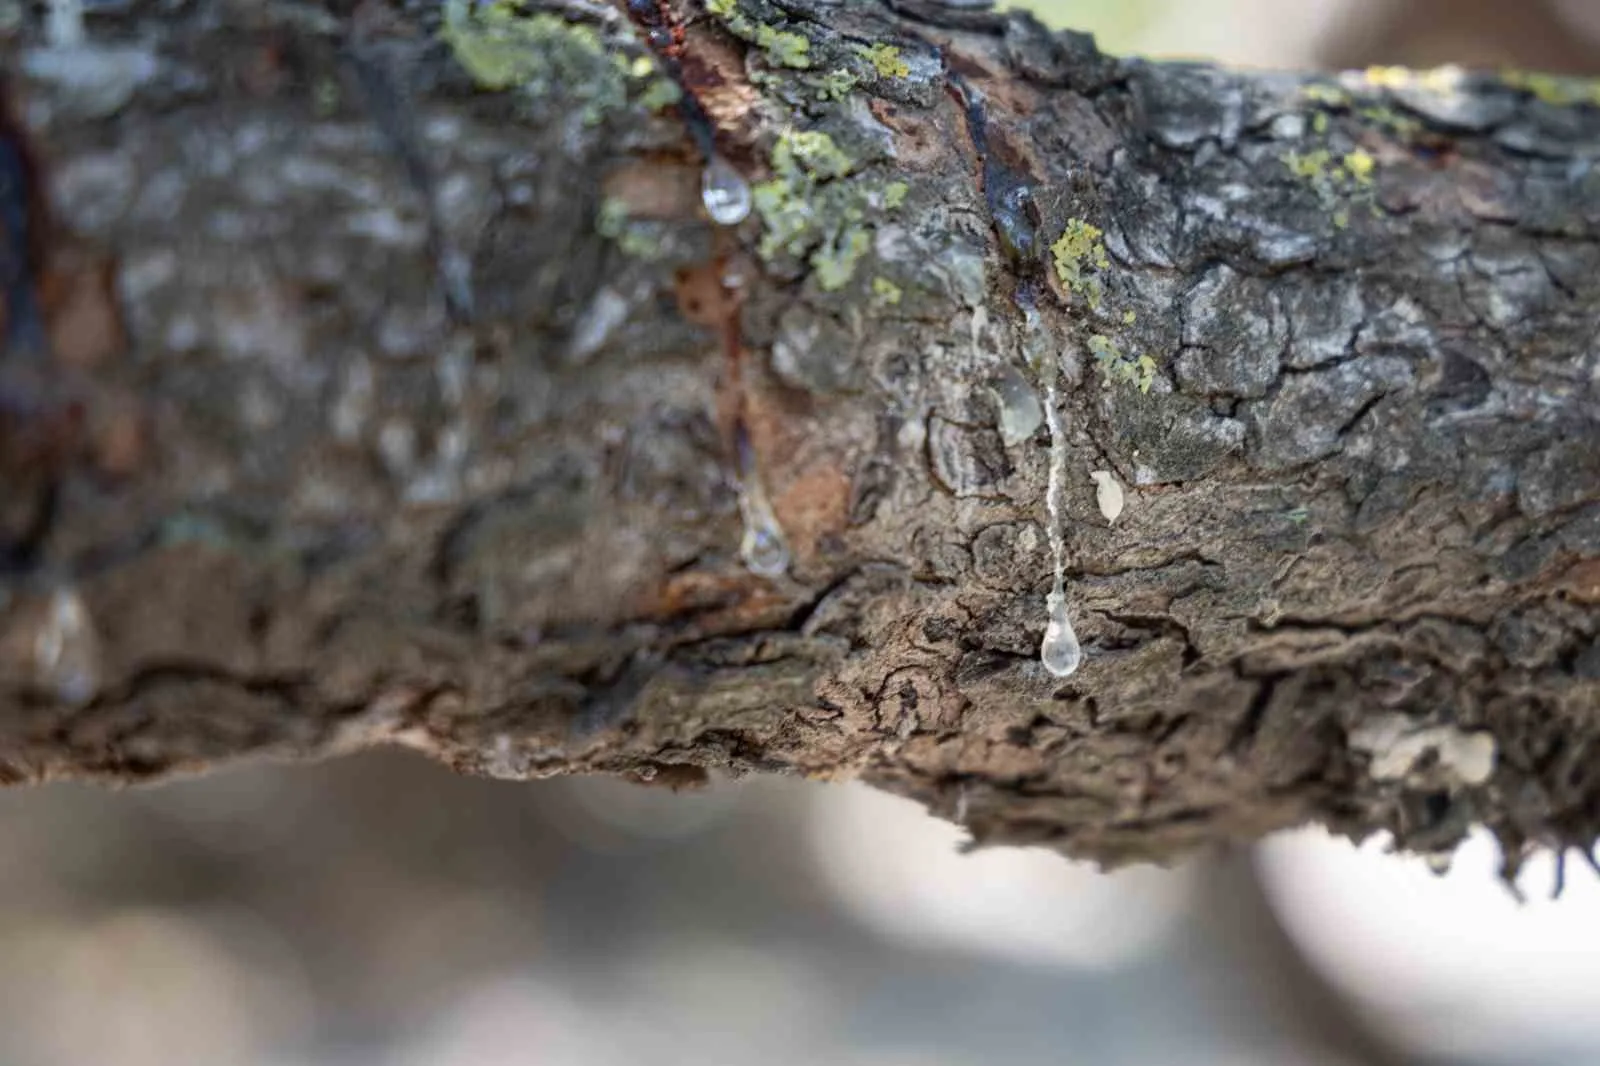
396, 388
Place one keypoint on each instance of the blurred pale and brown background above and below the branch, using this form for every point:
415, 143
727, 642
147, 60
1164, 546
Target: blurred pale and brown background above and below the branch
382, 910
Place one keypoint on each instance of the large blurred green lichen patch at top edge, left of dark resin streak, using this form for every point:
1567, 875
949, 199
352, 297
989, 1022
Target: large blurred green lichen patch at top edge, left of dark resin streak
503, 46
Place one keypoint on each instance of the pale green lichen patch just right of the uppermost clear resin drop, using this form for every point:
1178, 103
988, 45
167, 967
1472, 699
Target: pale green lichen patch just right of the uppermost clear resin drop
818, 209
